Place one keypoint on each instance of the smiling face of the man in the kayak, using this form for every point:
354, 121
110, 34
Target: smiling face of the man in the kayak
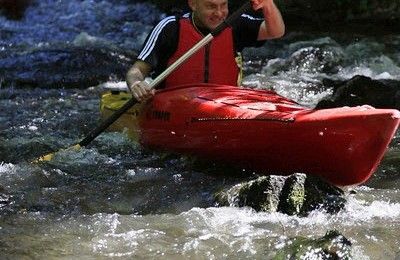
209, 13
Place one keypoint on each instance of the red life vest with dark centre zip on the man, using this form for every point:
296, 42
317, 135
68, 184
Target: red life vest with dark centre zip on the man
214, 63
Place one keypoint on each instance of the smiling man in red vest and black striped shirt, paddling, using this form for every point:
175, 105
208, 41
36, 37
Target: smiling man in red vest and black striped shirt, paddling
214, 63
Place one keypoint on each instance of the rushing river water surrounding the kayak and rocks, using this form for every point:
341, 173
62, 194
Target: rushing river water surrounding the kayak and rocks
113, 199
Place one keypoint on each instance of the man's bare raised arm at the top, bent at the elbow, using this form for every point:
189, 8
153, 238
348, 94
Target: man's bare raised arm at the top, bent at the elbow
273, 25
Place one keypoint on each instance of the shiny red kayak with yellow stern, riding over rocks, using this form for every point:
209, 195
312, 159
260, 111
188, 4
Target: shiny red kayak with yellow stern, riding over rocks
260, 130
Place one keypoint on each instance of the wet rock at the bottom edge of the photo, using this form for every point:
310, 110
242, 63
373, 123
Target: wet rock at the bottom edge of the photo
331, 246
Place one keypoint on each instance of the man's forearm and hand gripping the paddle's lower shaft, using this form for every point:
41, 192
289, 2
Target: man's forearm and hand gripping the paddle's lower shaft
135, 80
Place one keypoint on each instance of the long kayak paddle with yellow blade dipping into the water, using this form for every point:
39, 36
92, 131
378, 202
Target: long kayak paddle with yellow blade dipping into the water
111, 119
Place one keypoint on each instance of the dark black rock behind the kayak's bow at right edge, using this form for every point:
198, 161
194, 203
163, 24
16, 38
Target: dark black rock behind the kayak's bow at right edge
361, 90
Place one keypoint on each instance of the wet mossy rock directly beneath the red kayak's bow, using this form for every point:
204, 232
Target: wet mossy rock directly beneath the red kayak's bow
295, 194
